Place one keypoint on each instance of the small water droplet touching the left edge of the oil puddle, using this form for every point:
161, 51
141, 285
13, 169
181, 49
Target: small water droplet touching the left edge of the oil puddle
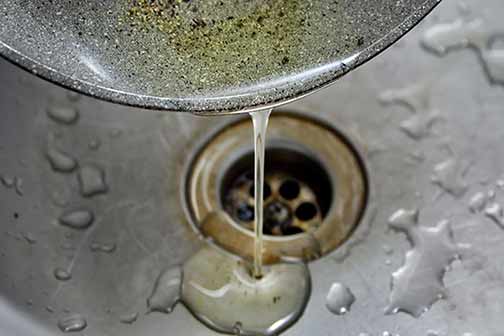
166, 292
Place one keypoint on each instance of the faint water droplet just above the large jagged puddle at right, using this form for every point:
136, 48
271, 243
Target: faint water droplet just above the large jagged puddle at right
450, 176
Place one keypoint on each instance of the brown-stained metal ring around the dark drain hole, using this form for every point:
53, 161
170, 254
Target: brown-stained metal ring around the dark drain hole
312, 139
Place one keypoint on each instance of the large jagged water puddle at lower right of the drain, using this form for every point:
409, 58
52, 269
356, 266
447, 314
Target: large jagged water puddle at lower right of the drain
418, 283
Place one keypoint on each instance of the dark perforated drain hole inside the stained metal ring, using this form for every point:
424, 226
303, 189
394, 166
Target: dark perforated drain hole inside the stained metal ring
297, 192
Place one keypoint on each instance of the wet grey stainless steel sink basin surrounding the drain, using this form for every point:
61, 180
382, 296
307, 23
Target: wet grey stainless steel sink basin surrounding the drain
458, 117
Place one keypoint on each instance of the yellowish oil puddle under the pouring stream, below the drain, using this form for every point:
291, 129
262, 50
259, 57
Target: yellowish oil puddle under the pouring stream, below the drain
221, 291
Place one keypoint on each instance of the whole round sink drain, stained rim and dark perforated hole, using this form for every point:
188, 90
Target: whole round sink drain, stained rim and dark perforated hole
315, 189
